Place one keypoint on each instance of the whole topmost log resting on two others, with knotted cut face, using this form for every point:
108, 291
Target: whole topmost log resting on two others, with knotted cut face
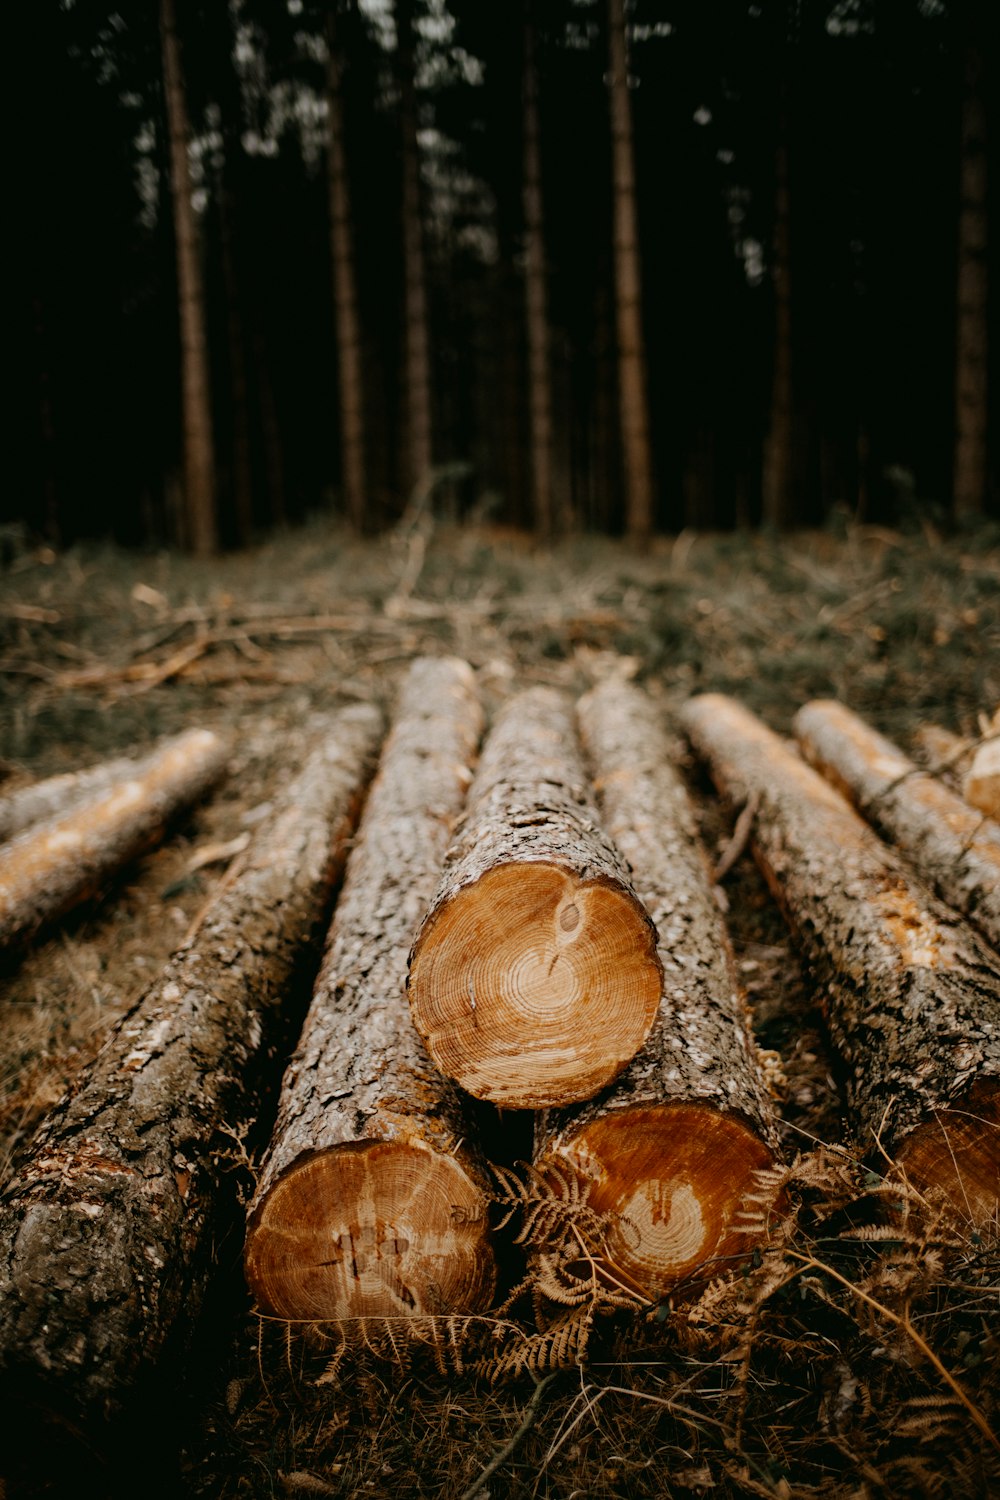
534, 977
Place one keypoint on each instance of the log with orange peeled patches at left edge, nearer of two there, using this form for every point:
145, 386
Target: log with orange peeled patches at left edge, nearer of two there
55, 866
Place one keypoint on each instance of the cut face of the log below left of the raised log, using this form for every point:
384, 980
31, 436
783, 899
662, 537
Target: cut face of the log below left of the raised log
371, 1229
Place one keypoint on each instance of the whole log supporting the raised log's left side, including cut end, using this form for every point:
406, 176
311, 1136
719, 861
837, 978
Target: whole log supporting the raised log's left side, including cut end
370, 1205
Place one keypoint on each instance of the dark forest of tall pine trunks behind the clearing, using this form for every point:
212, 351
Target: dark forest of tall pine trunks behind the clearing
557, 265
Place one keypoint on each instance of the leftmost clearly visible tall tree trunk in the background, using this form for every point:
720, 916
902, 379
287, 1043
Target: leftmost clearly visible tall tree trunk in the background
200, 464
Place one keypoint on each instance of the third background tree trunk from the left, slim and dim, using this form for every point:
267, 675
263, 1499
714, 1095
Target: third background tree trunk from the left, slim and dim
418, 362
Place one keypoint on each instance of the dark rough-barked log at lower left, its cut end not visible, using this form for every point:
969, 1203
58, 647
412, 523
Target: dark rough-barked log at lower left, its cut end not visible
110, 1231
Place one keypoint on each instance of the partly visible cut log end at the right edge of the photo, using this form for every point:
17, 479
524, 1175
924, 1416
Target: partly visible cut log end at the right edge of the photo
956, 1159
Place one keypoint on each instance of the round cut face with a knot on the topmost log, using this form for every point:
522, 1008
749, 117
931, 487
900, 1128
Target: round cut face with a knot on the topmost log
533, 988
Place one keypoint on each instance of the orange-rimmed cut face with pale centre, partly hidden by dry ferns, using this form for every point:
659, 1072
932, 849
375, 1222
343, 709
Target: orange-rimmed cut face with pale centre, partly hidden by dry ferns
672, 1180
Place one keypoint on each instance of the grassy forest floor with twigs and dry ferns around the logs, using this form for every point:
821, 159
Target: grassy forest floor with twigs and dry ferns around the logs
836, 1364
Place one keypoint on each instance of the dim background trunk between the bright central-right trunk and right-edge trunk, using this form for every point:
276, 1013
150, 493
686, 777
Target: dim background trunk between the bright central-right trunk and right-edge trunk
777, 509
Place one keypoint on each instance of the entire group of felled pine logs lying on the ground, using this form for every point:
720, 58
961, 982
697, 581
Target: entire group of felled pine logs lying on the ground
531, 925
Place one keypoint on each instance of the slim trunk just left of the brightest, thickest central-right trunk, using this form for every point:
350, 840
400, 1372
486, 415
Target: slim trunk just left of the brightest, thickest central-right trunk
536, 305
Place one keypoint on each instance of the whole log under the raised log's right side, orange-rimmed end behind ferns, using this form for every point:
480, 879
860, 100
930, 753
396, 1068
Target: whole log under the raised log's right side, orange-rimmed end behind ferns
671, 1148
